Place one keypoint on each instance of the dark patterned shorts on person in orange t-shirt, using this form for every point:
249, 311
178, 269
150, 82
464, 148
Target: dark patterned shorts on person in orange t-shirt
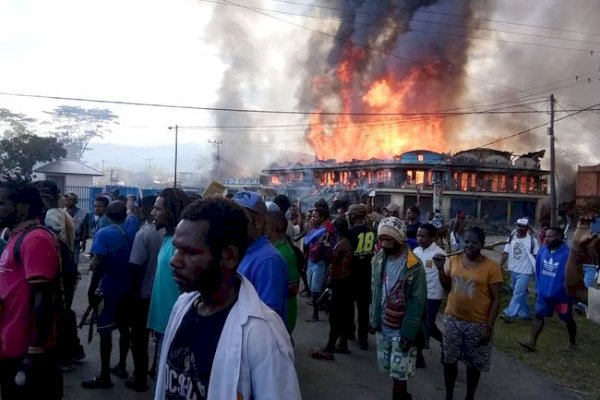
461, 343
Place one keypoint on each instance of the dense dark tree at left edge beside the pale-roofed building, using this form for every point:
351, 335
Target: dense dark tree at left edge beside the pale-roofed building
18, 154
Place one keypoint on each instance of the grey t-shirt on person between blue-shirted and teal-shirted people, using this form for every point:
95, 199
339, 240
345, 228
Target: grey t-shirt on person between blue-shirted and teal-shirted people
144, 252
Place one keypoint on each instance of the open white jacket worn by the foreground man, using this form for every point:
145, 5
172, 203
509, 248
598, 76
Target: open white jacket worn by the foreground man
254, 356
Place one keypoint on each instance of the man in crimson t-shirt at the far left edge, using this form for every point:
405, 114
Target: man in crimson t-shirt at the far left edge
29, 267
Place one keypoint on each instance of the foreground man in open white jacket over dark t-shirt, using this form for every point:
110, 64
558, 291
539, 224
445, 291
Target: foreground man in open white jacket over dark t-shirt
222, 342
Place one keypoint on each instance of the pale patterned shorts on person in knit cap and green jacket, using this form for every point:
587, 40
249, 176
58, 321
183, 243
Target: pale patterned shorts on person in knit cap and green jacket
390, 358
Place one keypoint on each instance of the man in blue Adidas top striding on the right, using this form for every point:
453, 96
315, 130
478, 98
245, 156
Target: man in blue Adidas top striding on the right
551, 295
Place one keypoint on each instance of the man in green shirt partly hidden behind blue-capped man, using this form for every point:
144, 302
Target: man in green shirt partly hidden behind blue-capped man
276, 228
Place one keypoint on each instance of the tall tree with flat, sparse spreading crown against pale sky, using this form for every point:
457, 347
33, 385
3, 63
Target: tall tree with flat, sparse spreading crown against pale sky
74, 127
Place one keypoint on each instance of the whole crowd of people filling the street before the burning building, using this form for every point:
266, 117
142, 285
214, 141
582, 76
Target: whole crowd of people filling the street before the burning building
215, 282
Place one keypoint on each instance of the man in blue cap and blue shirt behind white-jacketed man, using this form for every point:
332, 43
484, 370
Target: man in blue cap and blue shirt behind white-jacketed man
263, 265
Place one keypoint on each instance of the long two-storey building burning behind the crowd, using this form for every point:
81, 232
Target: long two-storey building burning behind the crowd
485, 183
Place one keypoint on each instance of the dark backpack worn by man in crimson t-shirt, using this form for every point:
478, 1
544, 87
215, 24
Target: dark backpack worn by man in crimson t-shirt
65, 281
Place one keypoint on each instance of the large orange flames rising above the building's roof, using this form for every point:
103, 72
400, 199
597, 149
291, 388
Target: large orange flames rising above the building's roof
347, 137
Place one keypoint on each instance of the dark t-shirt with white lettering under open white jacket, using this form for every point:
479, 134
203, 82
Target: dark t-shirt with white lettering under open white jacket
191, 355
